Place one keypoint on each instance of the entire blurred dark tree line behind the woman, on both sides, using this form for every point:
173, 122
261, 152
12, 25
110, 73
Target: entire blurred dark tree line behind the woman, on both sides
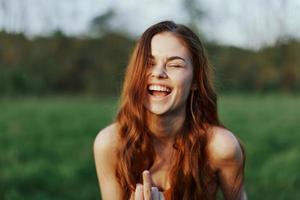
69, 65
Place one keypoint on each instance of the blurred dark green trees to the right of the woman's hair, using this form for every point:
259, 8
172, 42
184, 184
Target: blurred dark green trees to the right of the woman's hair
267, 70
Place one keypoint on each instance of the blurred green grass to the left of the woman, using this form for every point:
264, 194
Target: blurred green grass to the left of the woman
46, 147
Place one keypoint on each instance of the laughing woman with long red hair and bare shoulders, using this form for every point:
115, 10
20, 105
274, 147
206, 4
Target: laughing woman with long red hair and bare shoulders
167, 141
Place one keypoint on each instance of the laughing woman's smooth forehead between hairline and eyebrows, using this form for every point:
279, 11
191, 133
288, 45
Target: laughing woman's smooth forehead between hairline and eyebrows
164, 45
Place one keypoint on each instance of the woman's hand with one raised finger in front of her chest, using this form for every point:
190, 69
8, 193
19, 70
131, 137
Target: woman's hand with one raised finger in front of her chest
145, 191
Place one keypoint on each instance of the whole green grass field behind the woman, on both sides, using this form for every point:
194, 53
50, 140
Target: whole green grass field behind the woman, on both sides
46, 145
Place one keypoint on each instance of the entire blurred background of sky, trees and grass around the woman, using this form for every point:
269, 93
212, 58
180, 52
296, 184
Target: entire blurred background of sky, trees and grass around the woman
61, 70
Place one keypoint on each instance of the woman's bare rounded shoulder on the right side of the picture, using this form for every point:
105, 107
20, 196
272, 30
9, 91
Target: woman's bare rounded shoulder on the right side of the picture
223, 147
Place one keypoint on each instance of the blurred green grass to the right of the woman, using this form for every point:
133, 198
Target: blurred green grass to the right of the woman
270, 130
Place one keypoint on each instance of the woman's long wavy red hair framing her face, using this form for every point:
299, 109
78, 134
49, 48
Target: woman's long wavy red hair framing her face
136, 152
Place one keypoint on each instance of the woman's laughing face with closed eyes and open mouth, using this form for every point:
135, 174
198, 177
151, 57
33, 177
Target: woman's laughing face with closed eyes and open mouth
169, 76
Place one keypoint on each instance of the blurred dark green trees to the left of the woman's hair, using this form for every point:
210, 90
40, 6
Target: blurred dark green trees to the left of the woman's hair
61, 64
